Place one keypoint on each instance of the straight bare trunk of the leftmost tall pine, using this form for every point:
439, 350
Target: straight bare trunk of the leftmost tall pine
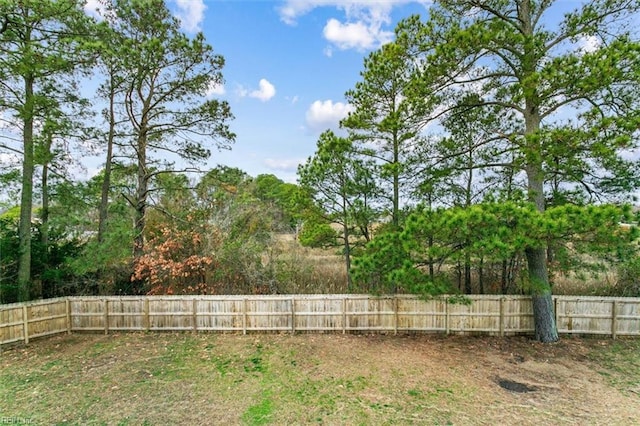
26, 197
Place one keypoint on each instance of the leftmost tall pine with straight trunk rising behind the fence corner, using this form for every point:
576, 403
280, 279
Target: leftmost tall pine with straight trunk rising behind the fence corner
42, 45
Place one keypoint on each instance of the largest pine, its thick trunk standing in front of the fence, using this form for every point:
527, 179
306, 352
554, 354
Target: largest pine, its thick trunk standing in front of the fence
532, 67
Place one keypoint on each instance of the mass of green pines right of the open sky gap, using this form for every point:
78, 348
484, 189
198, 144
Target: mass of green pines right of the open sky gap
490, 135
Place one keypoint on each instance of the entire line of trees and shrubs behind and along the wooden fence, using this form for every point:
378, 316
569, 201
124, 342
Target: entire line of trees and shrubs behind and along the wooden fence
488, 150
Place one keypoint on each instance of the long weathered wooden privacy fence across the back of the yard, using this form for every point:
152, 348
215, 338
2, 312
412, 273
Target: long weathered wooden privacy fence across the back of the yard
492, 315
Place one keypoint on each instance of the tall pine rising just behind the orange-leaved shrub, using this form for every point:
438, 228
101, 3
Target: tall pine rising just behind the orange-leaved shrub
167, 75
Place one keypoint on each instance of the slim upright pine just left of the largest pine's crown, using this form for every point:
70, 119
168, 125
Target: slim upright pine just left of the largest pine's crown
389, 113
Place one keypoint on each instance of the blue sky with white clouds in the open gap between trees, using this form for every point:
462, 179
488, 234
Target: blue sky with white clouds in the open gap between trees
288, 66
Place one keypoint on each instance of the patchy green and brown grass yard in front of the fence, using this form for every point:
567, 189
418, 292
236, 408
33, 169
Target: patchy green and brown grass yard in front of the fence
138, 379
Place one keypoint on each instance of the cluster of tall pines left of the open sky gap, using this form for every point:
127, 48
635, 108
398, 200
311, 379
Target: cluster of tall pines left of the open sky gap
152, 81
